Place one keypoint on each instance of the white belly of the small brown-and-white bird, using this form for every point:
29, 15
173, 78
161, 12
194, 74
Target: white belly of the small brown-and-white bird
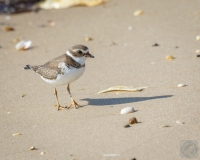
69, 76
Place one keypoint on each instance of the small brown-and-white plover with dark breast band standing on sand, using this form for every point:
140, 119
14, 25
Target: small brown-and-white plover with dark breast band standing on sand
64, 70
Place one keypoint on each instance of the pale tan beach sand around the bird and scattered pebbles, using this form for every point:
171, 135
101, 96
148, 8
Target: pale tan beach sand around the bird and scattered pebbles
96, 130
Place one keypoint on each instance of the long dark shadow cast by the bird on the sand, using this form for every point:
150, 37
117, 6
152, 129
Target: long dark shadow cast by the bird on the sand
122, 100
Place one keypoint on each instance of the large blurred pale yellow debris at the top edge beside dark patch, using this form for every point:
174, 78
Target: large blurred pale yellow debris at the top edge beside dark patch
55, 4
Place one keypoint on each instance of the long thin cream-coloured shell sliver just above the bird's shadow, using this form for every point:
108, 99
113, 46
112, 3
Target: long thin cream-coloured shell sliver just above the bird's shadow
123, 88
